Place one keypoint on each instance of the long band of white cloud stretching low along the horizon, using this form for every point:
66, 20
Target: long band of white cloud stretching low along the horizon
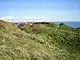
32, 19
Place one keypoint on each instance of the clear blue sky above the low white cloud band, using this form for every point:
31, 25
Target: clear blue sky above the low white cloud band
39, 9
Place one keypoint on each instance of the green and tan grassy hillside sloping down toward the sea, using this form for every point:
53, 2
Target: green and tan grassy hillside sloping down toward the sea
39, 42
